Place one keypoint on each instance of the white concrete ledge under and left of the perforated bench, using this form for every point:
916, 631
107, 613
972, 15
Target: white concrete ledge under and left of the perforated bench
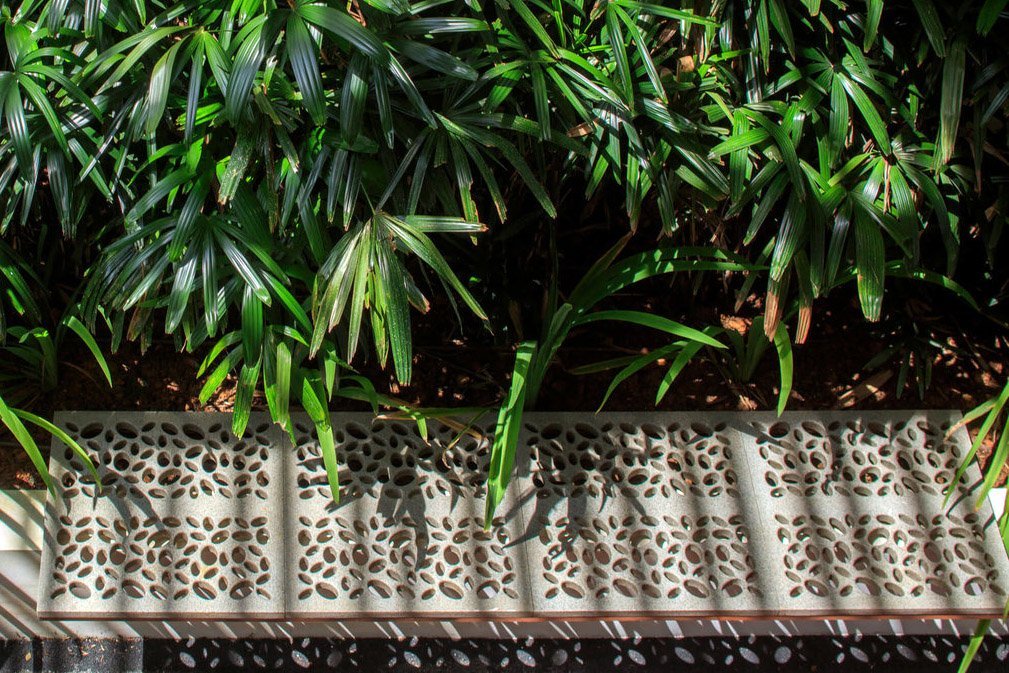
21, 544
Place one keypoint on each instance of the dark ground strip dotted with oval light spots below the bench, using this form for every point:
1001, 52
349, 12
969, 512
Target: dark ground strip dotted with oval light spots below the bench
757, 655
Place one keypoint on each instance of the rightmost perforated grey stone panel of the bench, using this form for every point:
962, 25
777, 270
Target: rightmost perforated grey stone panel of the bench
859, 519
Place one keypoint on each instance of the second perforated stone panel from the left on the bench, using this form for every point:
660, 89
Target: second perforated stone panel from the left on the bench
408, 535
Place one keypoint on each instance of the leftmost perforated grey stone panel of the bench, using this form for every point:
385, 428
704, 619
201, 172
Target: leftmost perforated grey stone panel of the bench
189, 521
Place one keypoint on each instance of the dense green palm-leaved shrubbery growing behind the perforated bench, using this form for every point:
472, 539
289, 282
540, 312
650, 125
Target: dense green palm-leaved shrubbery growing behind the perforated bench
279, 186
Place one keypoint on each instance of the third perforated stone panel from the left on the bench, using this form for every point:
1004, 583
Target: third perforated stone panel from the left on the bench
639, 515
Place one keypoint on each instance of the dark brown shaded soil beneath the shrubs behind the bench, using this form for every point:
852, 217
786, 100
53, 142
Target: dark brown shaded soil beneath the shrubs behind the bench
472, 370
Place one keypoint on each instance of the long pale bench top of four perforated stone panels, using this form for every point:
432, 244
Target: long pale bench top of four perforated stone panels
654, 516
